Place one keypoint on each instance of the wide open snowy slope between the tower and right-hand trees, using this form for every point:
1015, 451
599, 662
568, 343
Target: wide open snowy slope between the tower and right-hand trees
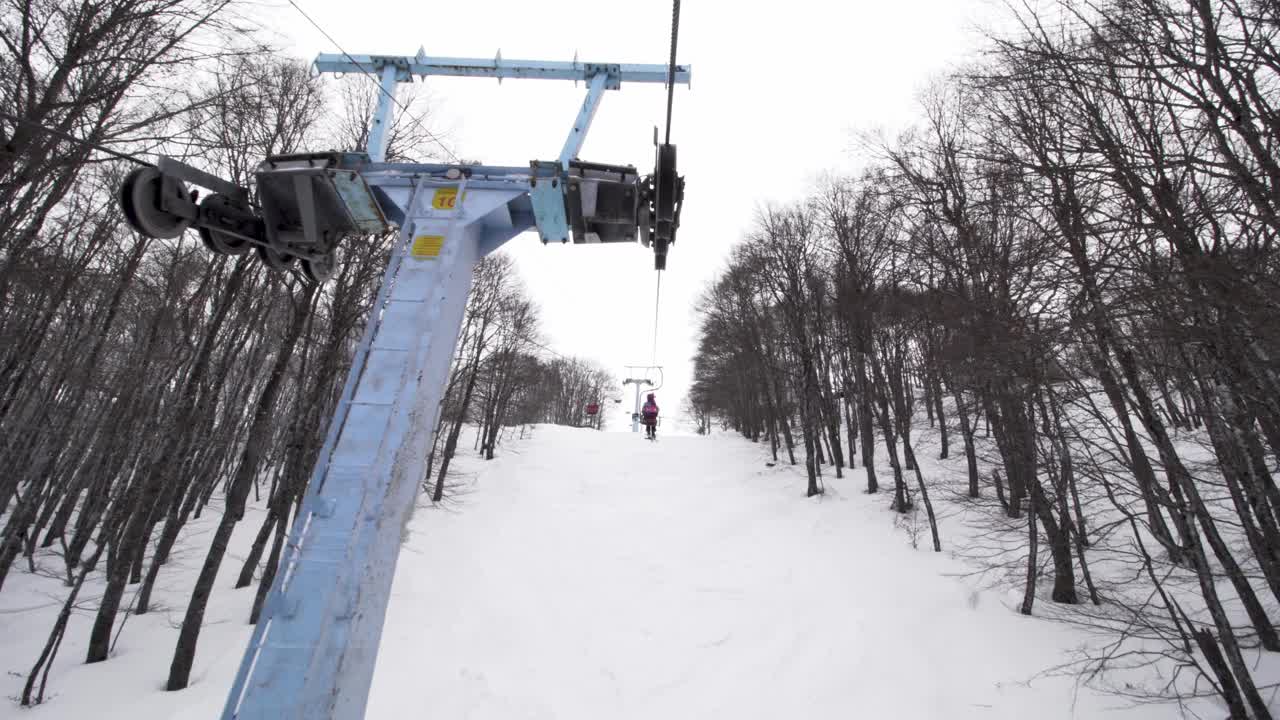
600, 576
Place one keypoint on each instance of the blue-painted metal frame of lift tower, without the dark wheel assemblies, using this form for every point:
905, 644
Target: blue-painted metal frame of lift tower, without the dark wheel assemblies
313, 653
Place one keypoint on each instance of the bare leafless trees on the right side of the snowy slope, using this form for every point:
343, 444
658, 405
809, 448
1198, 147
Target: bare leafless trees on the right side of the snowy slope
1068, 272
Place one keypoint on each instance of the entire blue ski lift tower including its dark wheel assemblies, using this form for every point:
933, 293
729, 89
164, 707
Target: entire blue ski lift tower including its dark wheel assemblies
313, 651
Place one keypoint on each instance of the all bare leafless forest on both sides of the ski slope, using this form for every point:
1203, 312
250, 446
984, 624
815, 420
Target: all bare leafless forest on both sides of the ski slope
1068, 274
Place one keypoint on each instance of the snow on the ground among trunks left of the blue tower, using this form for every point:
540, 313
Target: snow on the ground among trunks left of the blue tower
130, 686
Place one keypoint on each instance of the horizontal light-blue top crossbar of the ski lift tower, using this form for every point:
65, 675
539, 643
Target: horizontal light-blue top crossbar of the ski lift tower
500, 69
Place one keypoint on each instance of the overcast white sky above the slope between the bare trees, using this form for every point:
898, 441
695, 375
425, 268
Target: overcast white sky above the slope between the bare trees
779, 92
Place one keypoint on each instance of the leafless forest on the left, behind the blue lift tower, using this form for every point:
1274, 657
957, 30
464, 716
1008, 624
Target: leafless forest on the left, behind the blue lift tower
144, 381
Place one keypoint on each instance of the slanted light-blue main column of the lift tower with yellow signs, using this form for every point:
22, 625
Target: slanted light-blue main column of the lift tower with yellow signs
313, 653
